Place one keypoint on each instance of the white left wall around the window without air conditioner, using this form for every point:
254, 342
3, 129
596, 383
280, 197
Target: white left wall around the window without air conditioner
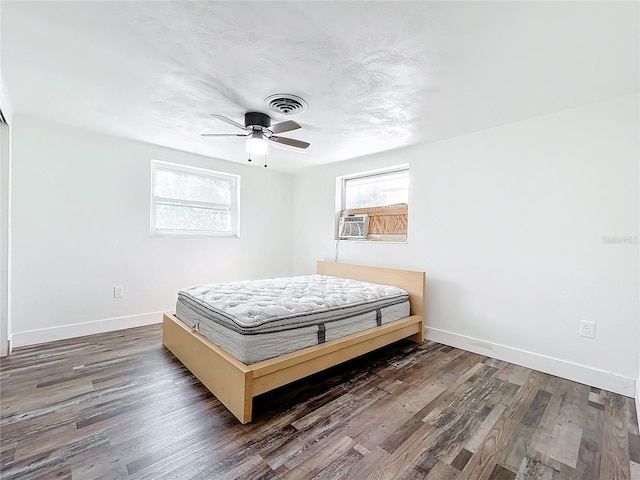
81, 226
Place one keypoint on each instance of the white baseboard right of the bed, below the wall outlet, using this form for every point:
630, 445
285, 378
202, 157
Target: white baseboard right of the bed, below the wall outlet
555, 366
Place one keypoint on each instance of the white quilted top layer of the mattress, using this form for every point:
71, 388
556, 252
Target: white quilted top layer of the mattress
251, 307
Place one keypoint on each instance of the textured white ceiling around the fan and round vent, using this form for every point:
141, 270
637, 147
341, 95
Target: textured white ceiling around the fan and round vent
376, 75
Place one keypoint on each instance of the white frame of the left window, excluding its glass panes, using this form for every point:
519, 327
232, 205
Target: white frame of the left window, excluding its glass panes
233, 207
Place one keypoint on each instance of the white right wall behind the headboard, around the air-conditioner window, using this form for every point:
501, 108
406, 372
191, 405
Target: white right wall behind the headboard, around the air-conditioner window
509, 223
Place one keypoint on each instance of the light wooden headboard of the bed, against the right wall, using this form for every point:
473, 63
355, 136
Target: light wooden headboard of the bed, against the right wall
409, 280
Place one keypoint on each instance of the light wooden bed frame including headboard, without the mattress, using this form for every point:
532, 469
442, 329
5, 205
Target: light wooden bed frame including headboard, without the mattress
235, 383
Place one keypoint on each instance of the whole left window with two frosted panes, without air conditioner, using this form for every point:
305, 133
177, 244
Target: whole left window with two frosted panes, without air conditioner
189, 201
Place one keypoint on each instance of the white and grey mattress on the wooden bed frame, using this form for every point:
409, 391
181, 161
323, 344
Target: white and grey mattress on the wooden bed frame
262, 319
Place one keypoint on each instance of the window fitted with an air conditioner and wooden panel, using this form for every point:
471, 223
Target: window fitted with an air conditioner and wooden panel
378, 201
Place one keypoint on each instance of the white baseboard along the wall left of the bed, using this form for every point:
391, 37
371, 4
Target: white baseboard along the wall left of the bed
32, 337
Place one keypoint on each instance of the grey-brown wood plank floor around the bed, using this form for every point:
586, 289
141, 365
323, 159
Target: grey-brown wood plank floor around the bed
119, 405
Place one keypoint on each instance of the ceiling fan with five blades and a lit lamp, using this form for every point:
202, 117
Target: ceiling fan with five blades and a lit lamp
259, 132
